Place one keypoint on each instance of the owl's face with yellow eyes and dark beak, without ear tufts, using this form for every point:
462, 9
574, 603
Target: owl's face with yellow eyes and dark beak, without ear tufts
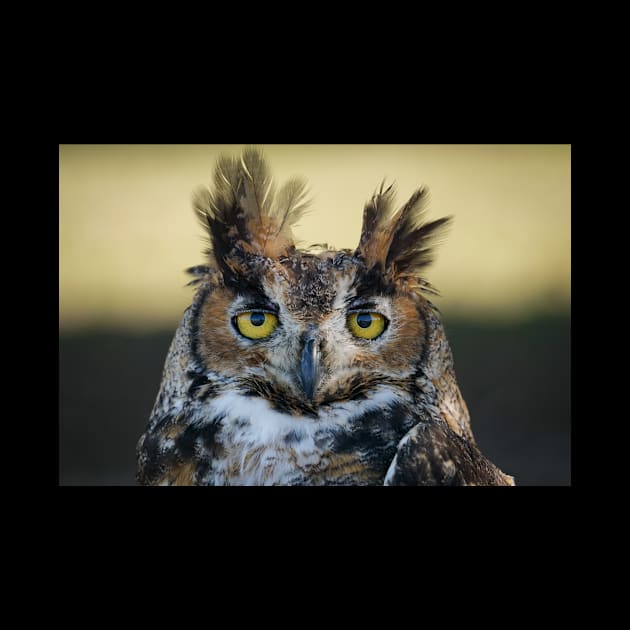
308, 330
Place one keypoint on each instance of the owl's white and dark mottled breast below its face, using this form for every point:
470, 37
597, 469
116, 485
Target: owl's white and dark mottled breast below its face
255, 445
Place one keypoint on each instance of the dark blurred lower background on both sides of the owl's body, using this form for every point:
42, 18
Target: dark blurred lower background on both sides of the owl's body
514, 377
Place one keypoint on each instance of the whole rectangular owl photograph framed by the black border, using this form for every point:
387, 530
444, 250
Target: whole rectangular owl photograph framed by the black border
314, 314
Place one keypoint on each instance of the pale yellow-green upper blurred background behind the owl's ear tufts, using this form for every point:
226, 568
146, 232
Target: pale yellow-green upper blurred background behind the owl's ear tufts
127, 229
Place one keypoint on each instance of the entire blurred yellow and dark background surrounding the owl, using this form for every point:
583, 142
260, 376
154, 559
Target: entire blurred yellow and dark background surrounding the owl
127, 231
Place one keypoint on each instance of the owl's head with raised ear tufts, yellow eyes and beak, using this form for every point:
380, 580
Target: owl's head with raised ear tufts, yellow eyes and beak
306, 328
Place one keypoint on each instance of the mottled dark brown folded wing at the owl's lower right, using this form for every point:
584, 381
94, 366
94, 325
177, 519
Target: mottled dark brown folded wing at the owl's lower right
431, 454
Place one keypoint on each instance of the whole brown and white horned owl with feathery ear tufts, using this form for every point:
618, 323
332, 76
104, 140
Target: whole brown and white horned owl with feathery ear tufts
309, 366
